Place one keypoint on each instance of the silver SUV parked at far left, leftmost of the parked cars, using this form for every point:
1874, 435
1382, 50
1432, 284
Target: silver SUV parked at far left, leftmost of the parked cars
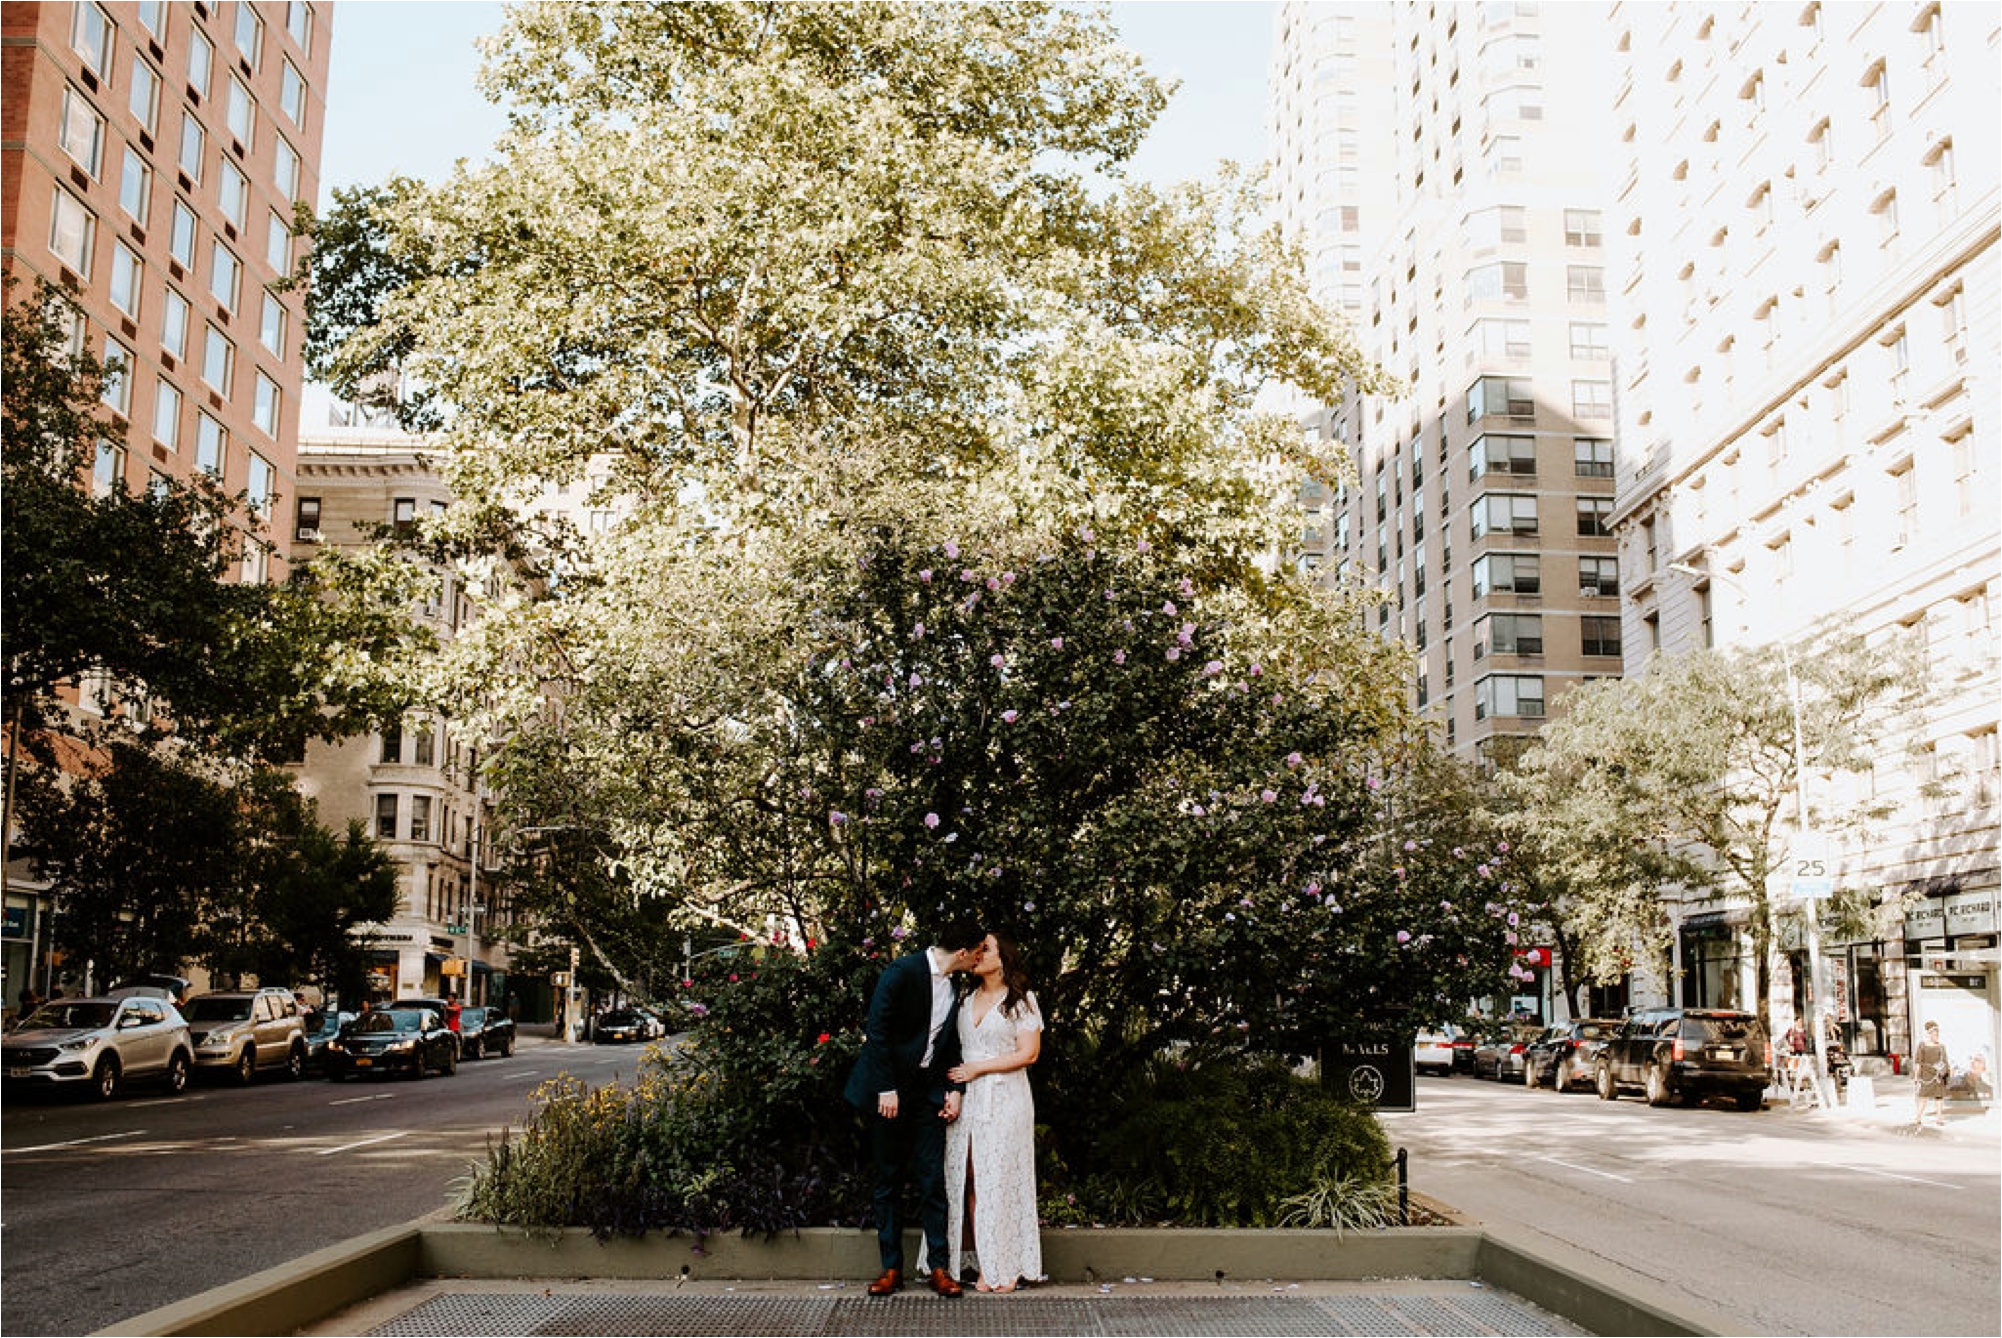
99, 1047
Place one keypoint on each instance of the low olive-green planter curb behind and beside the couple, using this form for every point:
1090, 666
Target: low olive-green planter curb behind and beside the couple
1589, 1293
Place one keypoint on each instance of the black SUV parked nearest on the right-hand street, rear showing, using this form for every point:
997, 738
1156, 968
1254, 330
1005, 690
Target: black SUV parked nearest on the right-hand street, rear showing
1689, 1053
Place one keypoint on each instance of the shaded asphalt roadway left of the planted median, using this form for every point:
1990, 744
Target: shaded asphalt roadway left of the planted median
109, 1211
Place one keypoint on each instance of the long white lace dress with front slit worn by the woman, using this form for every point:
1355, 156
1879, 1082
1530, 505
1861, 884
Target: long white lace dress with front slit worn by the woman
998, 1127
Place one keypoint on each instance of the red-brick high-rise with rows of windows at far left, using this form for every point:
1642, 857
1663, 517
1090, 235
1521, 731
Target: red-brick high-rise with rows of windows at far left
151, 161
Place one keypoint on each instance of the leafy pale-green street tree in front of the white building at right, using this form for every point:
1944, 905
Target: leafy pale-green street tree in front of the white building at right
1683, 782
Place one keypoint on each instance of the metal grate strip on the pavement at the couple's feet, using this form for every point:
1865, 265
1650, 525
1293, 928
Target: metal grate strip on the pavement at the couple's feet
1032, 1317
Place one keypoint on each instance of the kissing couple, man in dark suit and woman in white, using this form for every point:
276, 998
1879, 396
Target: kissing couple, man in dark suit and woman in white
944, 1087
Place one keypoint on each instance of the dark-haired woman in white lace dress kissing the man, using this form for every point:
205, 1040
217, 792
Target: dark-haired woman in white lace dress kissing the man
990, 1151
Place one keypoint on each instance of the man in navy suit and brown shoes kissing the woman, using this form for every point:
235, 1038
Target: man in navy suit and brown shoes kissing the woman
906, 1101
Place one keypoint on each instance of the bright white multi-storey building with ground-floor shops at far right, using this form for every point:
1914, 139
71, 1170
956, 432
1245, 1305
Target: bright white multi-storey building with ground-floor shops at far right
1809, 356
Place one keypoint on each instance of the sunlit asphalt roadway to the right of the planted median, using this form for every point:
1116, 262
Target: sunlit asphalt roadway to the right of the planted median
1791, 1223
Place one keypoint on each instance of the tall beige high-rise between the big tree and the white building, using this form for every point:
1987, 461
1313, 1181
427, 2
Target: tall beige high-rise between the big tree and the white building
1444, 171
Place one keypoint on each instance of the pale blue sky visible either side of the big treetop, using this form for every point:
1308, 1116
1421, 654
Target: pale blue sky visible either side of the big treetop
401, 99
